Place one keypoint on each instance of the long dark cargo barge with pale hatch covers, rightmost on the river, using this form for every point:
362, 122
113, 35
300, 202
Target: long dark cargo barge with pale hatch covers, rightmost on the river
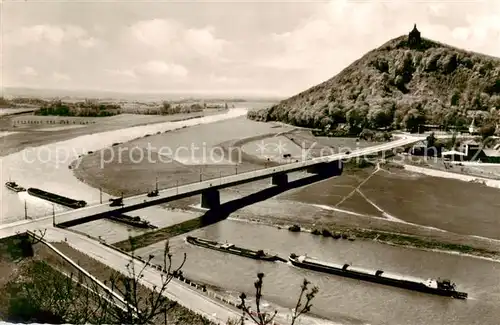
432, 286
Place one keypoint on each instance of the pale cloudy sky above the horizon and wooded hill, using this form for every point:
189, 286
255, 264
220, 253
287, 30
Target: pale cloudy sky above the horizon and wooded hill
274, 48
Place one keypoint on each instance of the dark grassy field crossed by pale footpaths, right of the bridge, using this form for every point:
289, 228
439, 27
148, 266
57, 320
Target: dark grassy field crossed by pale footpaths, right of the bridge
450, 205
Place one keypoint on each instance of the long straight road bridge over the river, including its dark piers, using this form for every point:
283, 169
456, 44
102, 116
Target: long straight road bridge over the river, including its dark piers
209, 189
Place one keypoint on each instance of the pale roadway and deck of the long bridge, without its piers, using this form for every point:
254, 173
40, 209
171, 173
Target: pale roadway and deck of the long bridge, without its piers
171, 194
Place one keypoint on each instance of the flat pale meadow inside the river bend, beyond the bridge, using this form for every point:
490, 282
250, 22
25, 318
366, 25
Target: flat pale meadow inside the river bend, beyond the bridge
197, 153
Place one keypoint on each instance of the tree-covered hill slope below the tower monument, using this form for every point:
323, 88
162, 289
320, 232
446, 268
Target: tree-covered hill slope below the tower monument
395, 86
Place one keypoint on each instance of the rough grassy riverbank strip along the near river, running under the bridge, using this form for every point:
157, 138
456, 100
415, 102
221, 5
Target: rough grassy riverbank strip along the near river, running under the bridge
412, 236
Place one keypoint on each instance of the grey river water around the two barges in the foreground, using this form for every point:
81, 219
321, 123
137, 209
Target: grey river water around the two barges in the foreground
340, 298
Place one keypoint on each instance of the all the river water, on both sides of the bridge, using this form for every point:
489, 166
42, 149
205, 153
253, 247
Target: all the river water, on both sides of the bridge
343, 300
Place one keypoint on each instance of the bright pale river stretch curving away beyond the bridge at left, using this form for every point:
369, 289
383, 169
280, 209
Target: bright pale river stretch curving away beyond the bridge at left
46, 167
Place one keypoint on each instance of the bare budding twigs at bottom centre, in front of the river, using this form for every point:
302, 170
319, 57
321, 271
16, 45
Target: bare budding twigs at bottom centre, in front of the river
259, 317
